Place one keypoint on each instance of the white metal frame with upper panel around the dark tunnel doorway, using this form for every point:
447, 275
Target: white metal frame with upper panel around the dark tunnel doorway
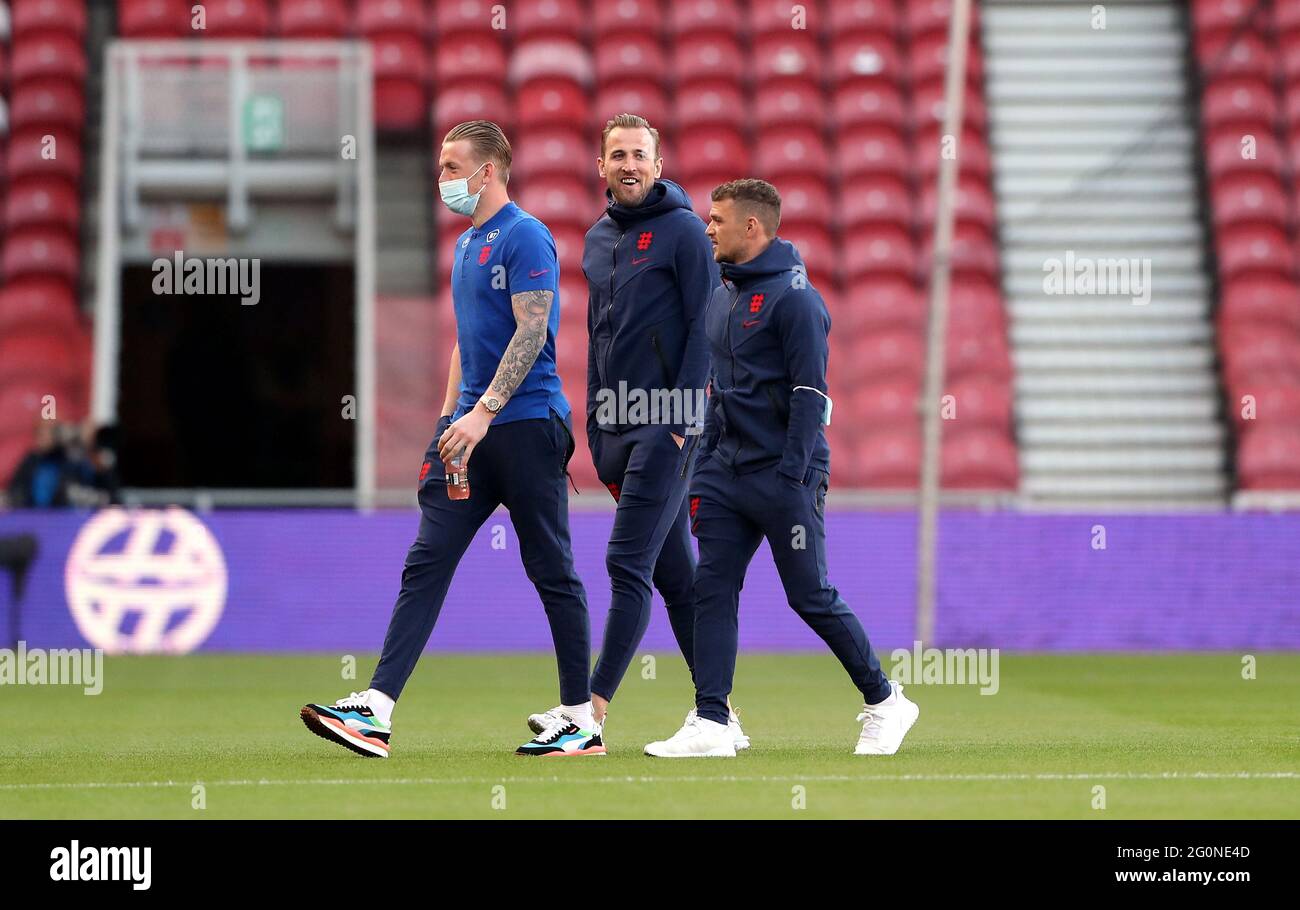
270, 133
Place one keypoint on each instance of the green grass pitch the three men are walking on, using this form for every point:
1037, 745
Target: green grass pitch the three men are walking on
1168, 736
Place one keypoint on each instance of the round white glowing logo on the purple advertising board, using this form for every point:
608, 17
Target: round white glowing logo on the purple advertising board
146, 582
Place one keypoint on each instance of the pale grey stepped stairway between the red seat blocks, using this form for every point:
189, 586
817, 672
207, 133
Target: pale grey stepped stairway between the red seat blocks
1095, 157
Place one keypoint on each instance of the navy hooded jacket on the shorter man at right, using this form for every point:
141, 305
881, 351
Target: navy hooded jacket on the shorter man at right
768, 333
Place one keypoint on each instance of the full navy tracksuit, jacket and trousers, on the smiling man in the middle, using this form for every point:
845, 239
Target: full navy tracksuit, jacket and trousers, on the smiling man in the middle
651, 274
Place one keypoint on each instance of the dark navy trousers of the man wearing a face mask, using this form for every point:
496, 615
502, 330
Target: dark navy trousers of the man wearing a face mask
521, 466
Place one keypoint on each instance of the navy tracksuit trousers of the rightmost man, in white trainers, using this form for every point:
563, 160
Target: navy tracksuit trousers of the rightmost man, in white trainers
733, 515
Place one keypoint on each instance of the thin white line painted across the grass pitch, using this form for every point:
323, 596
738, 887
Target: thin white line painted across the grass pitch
632, 779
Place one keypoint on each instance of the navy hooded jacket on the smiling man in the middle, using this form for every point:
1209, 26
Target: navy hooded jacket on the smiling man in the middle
651, 272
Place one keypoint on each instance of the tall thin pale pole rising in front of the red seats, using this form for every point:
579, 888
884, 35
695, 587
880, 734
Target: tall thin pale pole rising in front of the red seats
931, 457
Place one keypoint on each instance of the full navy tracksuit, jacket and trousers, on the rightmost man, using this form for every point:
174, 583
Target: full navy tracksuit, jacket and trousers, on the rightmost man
765, 469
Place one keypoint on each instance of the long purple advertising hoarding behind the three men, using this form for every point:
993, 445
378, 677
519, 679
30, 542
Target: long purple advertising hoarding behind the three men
326, 582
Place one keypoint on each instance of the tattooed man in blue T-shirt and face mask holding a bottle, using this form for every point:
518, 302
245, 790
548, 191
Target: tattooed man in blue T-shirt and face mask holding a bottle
506, 424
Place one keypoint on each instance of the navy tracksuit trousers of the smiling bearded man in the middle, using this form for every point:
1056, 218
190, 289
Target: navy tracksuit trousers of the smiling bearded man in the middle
649, 475
